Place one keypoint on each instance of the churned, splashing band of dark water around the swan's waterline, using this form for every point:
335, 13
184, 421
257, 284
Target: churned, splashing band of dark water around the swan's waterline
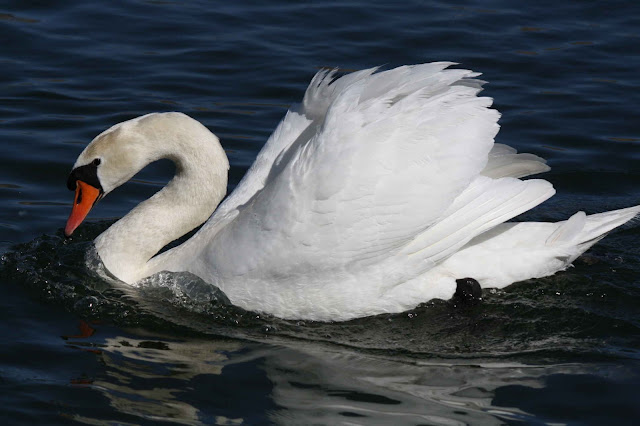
568, 315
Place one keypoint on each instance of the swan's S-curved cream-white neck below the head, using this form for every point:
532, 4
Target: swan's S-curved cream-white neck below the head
184, 203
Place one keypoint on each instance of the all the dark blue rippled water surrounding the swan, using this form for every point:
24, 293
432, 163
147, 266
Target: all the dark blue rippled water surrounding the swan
561, 350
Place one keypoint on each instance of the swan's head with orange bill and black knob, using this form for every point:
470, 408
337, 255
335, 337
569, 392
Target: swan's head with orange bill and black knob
112, 158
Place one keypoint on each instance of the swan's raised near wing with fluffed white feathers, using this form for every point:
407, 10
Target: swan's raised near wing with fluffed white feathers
386, 161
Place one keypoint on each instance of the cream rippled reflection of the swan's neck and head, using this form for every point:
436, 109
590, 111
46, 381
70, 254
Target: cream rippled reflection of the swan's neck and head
148, 377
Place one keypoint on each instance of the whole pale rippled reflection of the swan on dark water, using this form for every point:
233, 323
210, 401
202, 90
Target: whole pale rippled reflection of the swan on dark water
230, 382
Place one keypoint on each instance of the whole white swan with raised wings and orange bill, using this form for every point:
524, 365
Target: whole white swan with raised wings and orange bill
375, 194
